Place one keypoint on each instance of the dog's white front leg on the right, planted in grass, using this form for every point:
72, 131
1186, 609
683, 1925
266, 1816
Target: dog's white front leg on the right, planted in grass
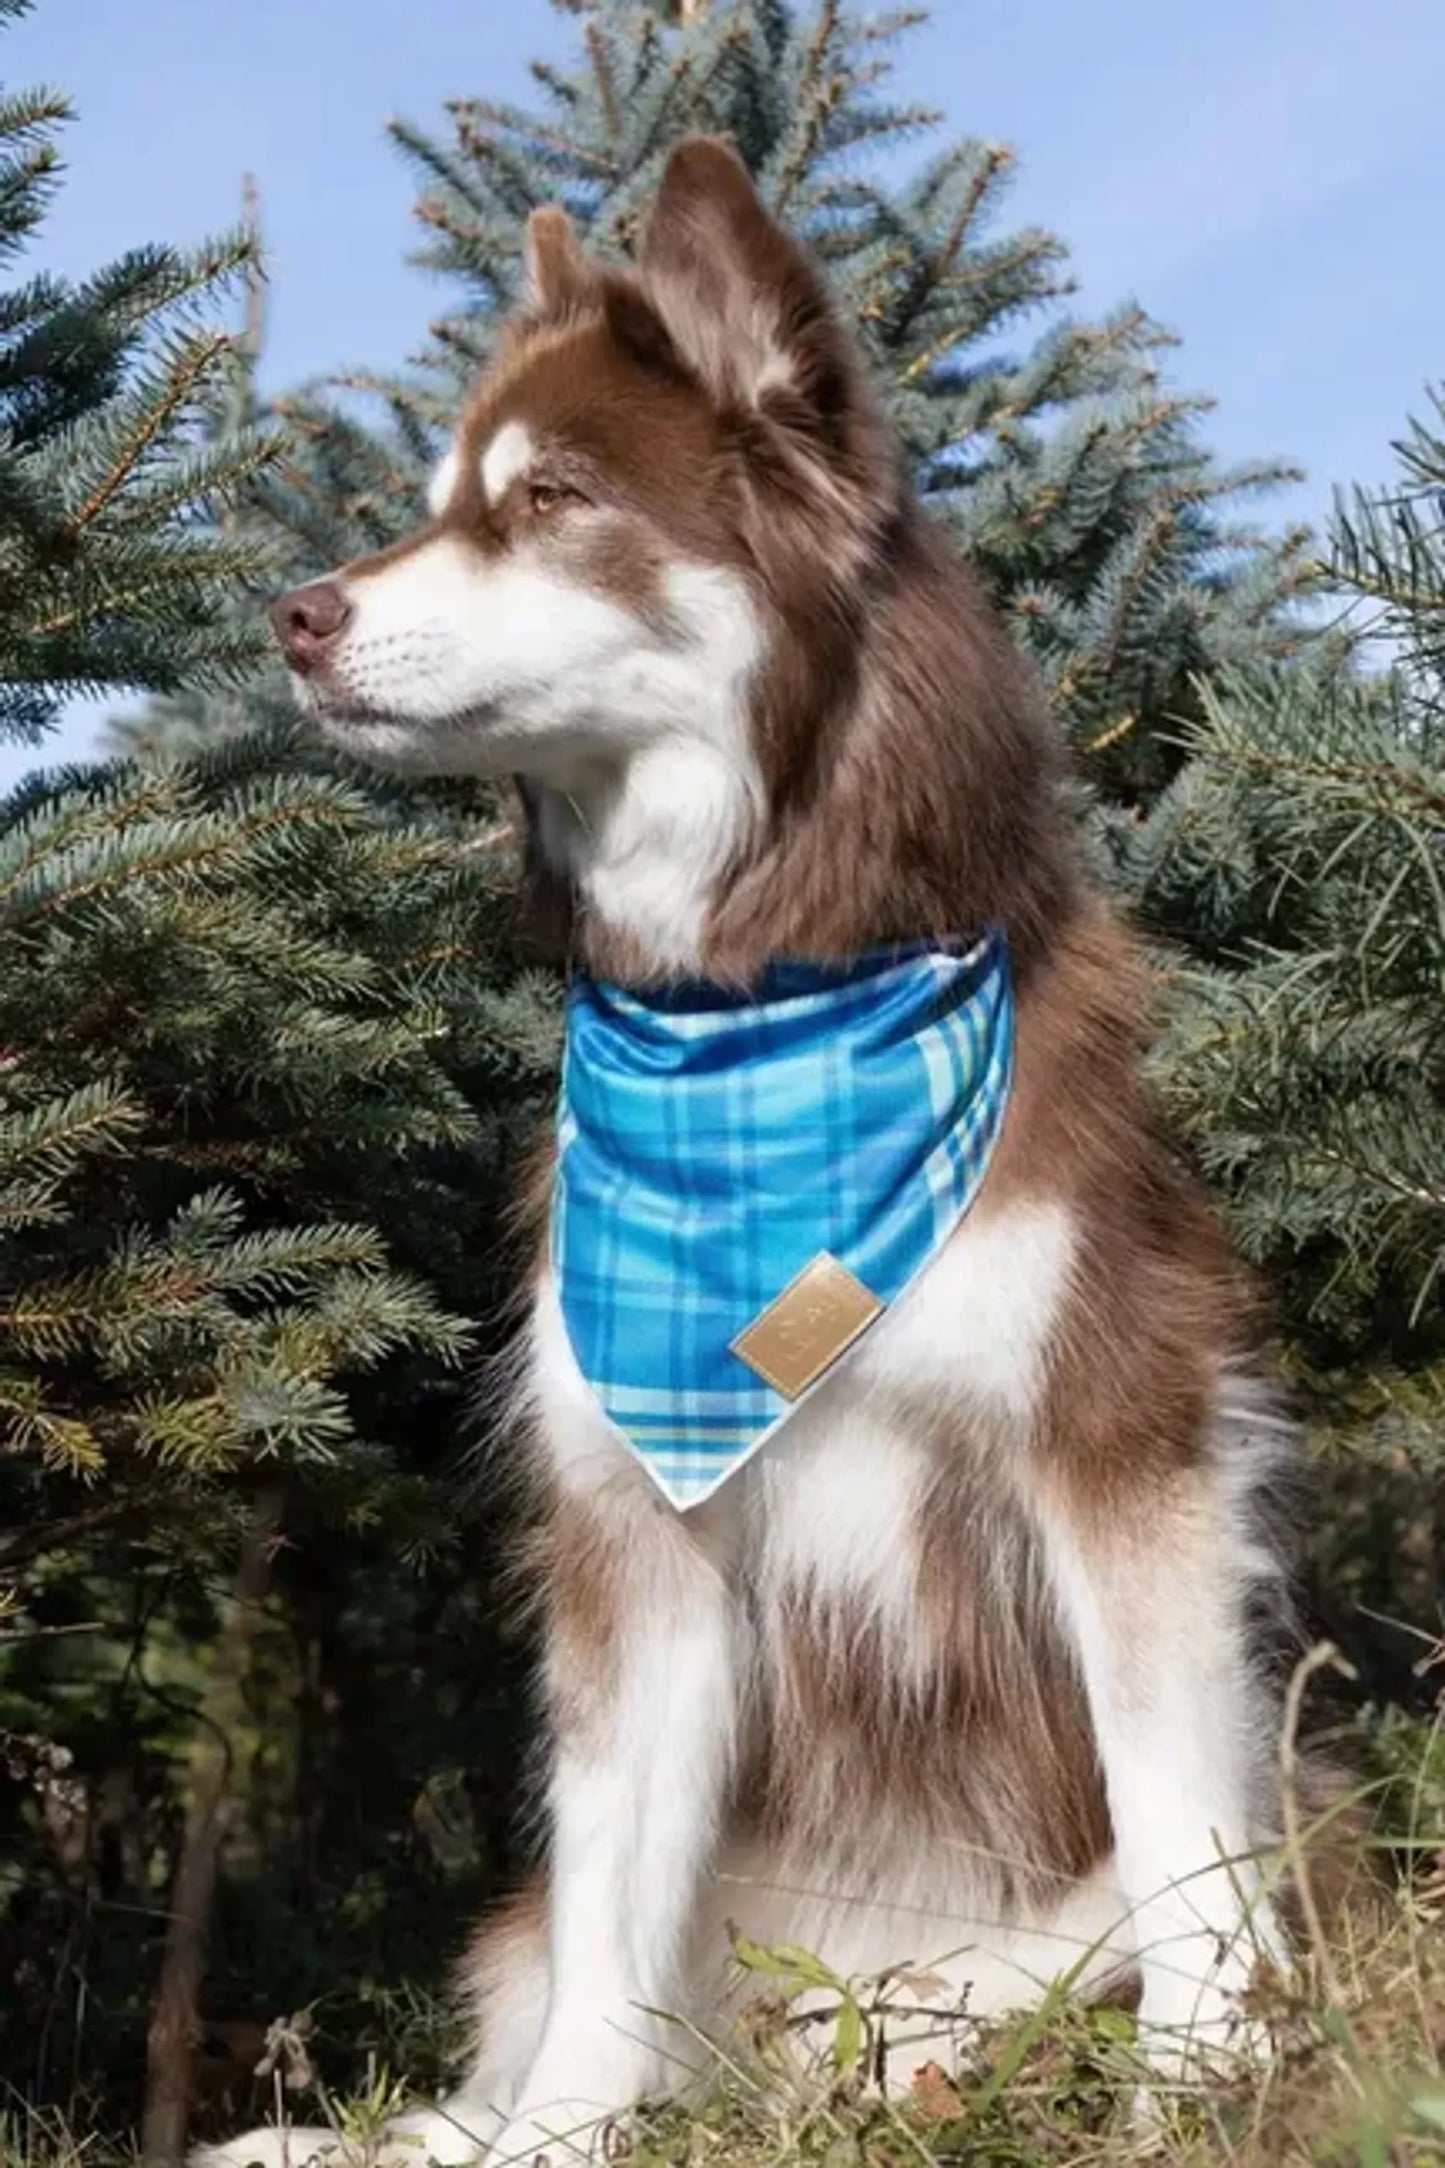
1154, 1599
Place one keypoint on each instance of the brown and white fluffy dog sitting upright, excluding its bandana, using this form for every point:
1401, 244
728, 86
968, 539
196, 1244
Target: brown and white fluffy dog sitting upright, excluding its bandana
961, 1668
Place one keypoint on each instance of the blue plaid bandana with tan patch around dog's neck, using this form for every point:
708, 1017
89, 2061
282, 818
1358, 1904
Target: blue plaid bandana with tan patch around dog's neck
744, 1185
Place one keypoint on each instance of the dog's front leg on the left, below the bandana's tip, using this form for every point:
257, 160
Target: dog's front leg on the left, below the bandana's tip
642, 1690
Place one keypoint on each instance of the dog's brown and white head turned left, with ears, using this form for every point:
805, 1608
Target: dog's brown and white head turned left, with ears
655, 474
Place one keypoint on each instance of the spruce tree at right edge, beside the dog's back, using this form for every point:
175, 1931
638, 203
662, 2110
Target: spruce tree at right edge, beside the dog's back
1297, 862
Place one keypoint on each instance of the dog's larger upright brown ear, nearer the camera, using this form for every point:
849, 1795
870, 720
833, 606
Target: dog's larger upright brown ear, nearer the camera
740, 298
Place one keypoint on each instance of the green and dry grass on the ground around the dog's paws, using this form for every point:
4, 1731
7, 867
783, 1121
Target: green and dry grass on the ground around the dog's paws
1353, 2074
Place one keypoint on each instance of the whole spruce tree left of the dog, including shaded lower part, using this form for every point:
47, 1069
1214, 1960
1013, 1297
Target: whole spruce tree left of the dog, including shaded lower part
261, 1079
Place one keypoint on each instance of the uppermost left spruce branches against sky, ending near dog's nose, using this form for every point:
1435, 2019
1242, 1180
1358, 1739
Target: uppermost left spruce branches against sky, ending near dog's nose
116, 454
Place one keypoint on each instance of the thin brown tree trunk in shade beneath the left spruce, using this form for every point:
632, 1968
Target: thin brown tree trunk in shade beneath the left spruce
177, 2026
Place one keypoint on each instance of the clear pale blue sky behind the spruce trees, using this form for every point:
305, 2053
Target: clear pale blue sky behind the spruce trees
1262, 175
